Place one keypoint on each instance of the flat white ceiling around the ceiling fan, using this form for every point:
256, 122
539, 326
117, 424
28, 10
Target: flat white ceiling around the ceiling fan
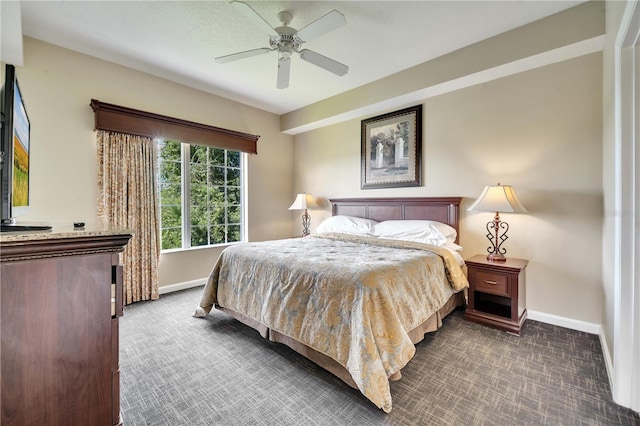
178, 40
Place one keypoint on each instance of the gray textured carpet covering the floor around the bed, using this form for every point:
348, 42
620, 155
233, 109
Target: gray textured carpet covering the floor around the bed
180, 370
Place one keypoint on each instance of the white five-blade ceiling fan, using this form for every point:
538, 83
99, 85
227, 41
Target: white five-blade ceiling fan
287, 40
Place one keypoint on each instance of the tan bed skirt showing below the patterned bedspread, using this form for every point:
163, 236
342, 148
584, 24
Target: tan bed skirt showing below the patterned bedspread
433, 323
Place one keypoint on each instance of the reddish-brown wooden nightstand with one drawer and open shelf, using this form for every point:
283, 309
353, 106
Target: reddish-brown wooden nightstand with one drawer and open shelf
497, 293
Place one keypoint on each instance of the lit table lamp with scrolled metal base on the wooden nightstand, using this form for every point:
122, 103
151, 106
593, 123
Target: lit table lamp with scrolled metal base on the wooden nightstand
499, 199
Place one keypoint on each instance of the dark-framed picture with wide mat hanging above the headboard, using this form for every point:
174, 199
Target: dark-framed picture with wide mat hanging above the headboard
392, 149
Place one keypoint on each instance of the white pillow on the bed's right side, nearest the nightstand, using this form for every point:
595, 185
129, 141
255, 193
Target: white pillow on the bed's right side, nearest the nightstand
421, 231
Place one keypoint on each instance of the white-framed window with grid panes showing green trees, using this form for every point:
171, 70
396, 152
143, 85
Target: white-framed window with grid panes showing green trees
200, 191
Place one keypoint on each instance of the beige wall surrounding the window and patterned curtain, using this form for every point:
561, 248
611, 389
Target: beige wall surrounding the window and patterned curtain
58, 85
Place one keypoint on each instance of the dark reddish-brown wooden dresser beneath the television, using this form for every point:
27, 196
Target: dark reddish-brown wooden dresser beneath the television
60, 299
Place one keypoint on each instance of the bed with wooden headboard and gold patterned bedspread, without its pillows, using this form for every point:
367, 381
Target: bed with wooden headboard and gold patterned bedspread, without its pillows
354, 304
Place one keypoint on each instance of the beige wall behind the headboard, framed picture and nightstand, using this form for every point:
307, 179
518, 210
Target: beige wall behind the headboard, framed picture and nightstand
539, 131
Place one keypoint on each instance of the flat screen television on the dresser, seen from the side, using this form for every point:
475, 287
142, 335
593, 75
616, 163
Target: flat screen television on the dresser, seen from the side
14, 153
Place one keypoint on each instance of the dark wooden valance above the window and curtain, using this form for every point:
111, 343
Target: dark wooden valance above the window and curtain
135, 122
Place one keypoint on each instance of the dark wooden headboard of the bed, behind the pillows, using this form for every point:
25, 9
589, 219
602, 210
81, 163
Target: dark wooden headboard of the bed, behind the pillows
442, 209
